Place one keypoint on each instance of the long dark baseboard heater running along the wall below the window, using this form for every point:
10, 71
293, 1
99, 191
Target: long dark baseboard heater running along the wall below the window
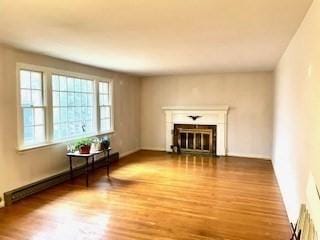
30, 189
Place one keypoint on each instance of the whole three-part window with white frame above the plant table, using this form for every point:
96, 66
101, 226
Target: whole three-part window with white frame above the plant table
57, 106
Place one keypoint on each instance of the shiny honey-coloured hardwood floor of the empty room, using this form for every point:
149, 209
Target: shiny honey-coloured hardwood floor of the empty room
154, 195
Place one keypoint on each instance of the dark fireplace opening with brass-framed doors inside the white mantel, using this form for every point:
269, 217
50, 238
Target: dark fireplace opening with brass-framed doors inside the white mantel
195, 138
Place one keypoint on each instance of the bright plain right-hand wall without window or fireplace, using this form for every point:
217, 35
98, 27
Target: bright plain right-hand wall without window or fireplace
297, 113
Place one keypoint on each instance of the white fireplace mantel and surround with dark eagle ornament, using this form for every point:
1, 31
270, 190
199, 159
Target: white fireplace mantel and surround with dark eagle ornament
209, 115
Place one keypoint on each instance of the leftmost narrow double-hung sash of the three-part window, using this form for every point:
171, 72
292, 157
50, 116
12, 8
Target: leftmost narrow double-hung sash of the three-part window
32, 107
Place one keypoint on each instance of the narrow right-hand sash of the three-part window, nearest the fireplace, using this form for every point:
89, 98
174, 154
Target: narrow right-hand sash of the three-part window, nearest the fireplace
105, 106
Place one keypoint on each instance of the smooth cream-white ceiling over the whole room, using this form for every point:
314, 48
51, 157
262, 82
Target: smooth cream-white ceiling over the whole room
156, 37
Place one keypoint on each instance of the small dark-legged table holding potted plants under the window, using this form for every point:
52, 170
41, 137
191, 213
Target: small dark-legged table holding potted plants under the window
71, 156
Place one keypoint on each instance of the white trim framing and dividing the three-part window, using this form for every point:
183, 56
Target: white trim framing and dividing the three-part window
47, 96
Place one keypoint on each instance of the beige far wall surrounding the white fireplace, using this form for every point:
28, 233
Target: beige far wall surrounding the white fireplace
249, 95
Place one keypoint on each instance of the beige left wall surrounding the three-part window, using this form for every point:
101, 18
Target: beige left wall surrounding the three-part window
17, 168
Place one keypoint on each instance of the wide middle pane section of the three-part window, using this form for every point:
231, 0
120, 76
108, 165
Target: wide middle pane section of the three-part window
72, 101
